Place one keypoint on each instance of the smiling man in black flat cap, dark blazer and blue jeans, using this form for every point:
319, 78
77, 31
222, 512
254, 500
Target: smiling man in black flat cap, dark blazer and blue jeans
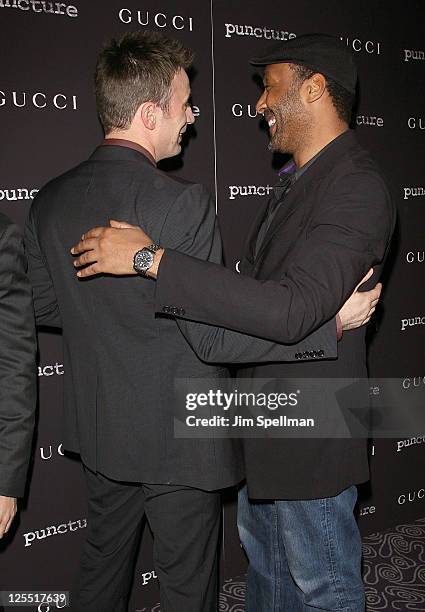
330, 221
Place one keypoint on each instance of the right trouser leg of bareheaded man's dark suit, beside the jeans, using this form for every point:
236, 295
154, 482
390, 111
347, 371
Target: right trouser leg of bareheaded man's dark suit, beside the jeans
185, 523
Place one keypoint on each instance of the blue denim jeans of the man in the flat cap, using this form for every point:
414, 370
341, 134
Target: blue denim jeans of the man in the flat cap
303, 555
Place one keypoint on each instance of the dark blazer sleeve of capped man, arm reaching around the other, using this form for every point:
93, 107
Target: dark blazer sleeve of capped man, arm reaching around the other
349, 234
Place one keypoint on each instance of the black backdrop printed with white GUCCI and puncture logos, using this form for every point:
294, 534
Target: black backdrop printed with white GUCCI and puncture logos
48, 124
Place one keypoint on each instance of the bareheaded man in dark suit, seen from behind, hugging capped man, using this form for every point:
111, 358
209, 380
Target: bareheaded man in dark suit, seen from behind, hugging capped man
121, 362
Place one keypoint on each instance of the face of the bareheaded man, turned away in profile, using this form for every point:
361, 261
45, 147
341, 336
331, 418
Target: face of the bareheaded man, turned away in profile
174, 120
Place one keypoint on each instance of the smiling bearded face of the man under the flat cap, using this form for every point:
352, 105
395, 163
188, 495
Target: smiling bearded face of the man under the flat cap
281, 103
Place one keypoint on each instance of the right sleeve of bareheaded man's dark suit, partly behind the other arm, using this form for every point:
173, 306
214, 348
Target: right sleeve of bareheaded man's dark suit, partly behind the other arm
194, 213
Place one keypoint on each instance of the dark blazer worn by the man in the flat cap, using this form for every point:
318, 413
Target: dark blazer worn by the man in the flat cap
335, 223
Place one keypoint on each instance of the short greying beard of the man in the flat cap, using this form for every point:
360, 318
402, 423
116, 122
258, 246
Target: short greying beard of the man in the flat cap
292, 125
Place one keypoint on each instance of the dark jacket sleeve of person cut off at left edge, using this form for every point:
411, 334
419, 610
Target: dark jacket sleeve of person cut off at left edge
18, 372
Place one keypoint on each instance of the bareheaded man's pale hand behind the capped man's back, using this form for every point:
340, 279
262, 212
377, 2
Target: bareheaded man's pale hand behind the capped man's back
360, 306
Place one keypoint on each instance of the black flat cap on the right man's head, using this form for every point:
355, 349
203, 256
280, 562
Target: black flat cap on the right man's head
320, 52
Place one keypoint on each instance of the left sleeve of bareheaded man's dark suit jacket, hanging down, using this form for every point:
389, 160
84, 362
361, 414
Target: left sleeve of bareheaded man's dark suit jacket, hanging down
45, 303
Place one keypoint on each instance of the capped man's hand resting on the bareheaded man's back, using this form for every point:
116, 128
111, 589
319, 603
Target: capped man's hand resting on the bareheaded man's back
110, 250
